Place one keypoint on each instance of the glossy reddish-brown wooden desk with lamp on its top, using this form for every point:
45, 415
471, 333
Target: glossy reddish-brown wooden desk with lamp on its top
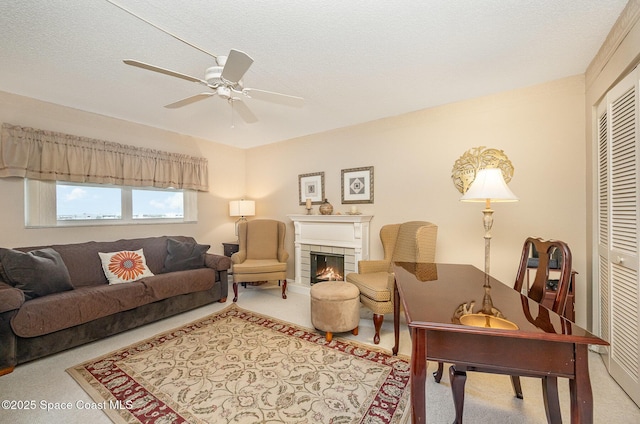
545, 344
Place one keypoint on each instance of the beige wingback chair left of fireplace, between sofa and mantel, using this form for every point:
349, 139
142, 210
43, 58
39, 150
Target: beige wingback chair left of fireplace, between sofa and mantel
261, 255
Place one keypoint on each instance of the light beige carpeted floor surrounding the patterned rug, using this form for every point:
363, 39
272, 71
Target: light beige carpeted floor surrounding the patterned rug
488, 398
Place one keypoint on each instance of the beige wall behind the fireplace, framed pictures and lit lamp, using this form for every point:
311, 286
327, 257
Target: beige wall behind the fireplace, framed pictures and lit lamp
541, 129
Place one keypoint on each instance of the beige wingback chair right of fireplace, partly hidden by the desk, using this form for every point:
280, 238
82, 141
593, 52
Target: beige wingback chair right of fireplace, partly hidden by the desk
413, 241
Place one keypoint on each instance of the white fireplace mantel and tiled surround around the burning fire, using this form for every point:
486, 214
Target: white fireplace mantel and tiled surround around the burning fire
340, 234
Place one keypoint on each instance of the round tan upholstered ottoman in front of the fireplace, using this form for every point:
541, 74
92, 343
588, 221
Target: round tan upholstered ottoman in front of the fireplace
335, 307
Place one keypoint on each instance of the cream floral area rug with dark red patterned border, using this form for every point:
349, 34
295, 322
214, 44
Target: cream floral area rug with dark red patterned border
237, 366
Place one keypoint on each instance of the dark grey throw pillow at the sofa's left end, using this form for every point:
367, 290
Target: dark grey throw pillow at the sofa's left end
37, 273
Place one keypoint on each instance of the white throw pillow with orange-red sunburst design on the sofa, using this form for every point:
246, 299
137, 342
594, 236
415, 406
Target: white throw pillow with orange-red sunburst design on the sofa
125, 266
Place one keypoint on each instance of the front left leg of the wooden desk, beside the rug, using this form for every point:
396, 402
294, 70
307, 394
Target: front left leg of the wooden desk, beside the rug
418, 375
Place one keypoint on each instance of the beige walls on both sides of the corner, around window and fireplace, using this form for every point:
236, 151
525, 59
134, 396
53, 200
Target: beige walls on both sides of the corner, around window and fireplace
540, 128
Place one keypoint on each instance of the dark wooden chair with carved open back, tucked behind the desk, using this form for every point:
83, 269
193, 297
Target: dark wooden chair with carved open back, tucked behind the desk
547, 251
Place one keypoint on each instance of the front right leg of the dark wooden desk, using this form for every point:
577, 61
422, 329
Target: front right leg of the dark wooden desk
580, 388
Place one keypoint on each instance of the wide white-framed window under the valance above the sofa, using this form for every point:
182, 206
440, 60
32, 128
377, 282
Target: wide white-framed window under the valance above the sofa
51, 203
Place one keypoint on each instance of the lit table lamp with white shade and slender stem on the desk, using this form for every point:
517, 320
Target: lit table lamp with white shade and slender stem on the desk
488, 186
